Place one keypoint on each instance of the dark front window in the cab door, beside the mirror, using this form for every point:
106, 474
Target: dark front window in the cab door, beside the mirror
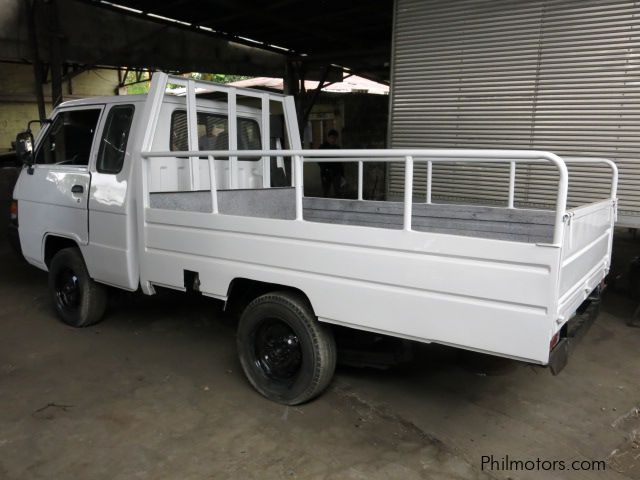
68, 139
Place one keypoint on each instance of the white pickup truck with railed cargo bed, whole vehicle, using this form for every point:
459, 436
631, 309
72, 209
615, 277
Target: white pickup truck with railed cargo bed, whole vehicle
194, 192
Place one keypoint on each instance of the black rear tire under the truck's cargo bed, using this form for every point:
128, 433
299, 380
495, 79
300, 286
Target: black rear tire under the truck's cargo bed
287, 355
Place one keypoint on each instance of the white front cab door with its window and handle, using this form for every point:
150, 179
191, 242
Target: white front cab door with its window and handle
53, 194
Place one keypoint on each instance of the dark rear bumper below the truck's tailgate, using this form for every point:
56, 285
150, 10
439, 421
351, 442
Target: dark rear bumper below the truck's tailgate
573, 332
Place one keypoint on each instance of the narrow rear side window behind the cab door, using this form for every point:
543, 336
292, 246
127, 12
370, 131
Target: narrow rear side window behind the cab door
114, 139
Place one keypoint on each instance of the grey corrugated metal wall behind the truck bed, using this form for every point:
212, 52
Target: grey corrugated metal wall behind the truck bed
562, 76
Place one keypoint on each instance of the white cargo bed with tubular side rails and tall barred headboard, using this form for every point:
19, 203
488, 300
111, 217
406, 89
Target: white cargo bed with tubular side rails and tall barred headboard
502, 281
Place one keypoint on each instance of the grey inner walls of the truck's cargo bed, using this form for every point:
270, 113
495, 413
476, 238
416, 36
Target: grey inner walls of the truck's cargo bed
520, 225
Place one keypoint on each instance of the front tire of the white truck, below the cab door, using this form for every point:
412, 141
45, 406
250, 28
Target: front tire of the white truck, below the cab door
79, 300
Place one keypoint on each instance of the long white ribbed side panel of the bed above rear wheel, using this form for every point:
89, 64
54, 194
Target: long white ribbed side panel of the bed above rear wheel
412, 284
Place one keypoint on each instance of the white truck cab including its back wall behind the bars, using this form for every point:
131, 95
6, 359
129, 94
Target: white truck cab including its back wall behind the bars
77, 191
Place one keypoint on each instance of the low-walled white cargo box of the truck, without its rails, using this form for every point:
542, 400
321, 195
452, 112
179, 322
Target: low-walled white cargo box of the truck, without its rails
494, 286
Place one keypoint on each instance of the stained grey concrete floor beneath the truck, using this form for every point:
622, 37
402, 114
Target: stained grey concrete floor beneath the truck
156, 392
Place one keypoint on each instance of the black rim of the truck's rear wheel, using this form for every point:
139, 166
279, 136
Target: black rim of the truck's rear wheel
278, 353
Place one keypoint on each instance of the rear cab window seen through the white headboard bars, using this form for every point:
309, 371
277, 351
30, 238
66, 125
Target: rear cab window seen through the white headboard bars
213, 133
